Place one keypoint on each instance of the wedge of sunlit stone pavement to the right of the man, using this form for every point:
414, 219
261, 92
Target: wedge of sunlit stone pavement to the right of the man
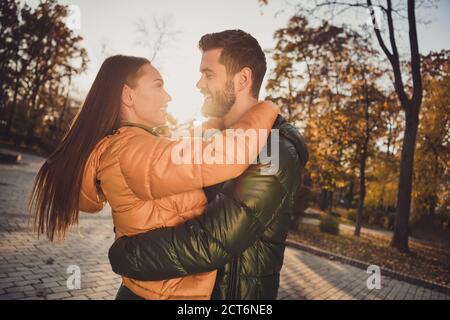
307, 276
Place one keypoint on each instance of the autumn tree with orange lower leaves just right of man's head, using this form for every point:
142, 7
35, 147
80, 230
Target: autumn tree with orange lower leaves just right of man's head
306, 83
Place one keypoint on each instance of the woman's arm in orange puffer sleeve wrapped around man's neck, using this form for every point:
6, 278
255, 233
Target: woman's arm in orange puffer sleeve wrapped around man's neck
156, 167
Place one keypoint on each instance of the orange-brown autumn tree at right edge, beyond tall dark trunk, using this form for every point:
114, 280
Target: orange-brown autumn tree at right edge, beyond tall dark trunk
431, 174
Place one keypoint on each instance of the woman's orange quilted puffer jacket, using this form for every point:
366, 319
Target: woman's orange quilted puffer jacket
134, 172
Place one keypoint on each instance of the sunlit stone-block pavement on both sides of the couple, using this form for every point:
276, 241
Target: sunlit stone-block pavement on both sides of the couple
32, 268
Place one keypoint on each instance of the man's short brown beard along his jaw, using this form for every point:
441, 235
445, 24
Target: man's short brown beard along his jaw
220, 102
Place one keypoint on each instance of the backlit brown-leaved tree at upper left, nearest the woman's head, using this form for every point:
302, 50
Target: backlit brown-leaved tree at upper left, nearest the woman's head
56, 53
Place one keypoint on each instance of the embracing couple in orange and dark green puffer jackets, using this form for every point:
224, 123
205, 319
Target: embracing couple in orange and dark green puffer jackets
191, 229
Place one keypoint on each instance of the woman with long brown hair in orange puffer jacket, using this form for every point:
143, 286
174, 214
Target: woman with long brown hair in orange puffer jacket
112, 153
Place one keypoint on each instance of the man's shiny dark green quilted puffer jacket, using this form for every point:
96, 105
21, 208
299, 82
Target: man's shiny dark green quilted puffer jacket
242, 232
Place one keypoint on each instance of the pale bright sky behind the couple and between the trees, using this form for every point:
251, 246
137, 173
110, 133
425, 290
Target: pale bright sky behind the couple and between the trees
111, 24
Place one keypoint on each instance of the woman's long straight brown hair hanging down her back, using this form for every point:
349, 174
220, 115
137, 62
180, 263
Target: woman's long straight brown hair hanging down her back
55, 196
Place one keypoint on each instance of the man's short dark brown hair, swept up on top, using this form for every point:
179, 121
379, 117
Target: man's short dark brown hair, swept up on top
240, 50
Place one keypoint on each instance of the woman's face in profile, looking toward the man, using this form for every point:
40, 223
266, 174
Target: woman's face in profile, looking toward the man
146, 102
